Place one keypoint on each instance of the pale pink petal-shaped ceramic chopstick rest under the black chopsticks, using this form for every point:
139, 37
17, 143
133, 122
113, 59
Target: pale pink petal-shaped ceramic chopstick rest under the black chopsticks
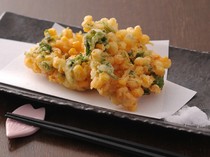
15, 129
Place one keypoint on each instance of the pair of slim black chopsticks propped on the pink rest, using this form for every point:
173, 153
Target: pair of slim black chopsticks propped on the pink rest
104, 140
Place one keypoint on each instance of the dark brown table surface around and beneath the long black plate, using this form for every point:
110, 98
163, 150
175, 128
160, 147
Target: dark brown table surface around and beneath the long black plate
185, 23
